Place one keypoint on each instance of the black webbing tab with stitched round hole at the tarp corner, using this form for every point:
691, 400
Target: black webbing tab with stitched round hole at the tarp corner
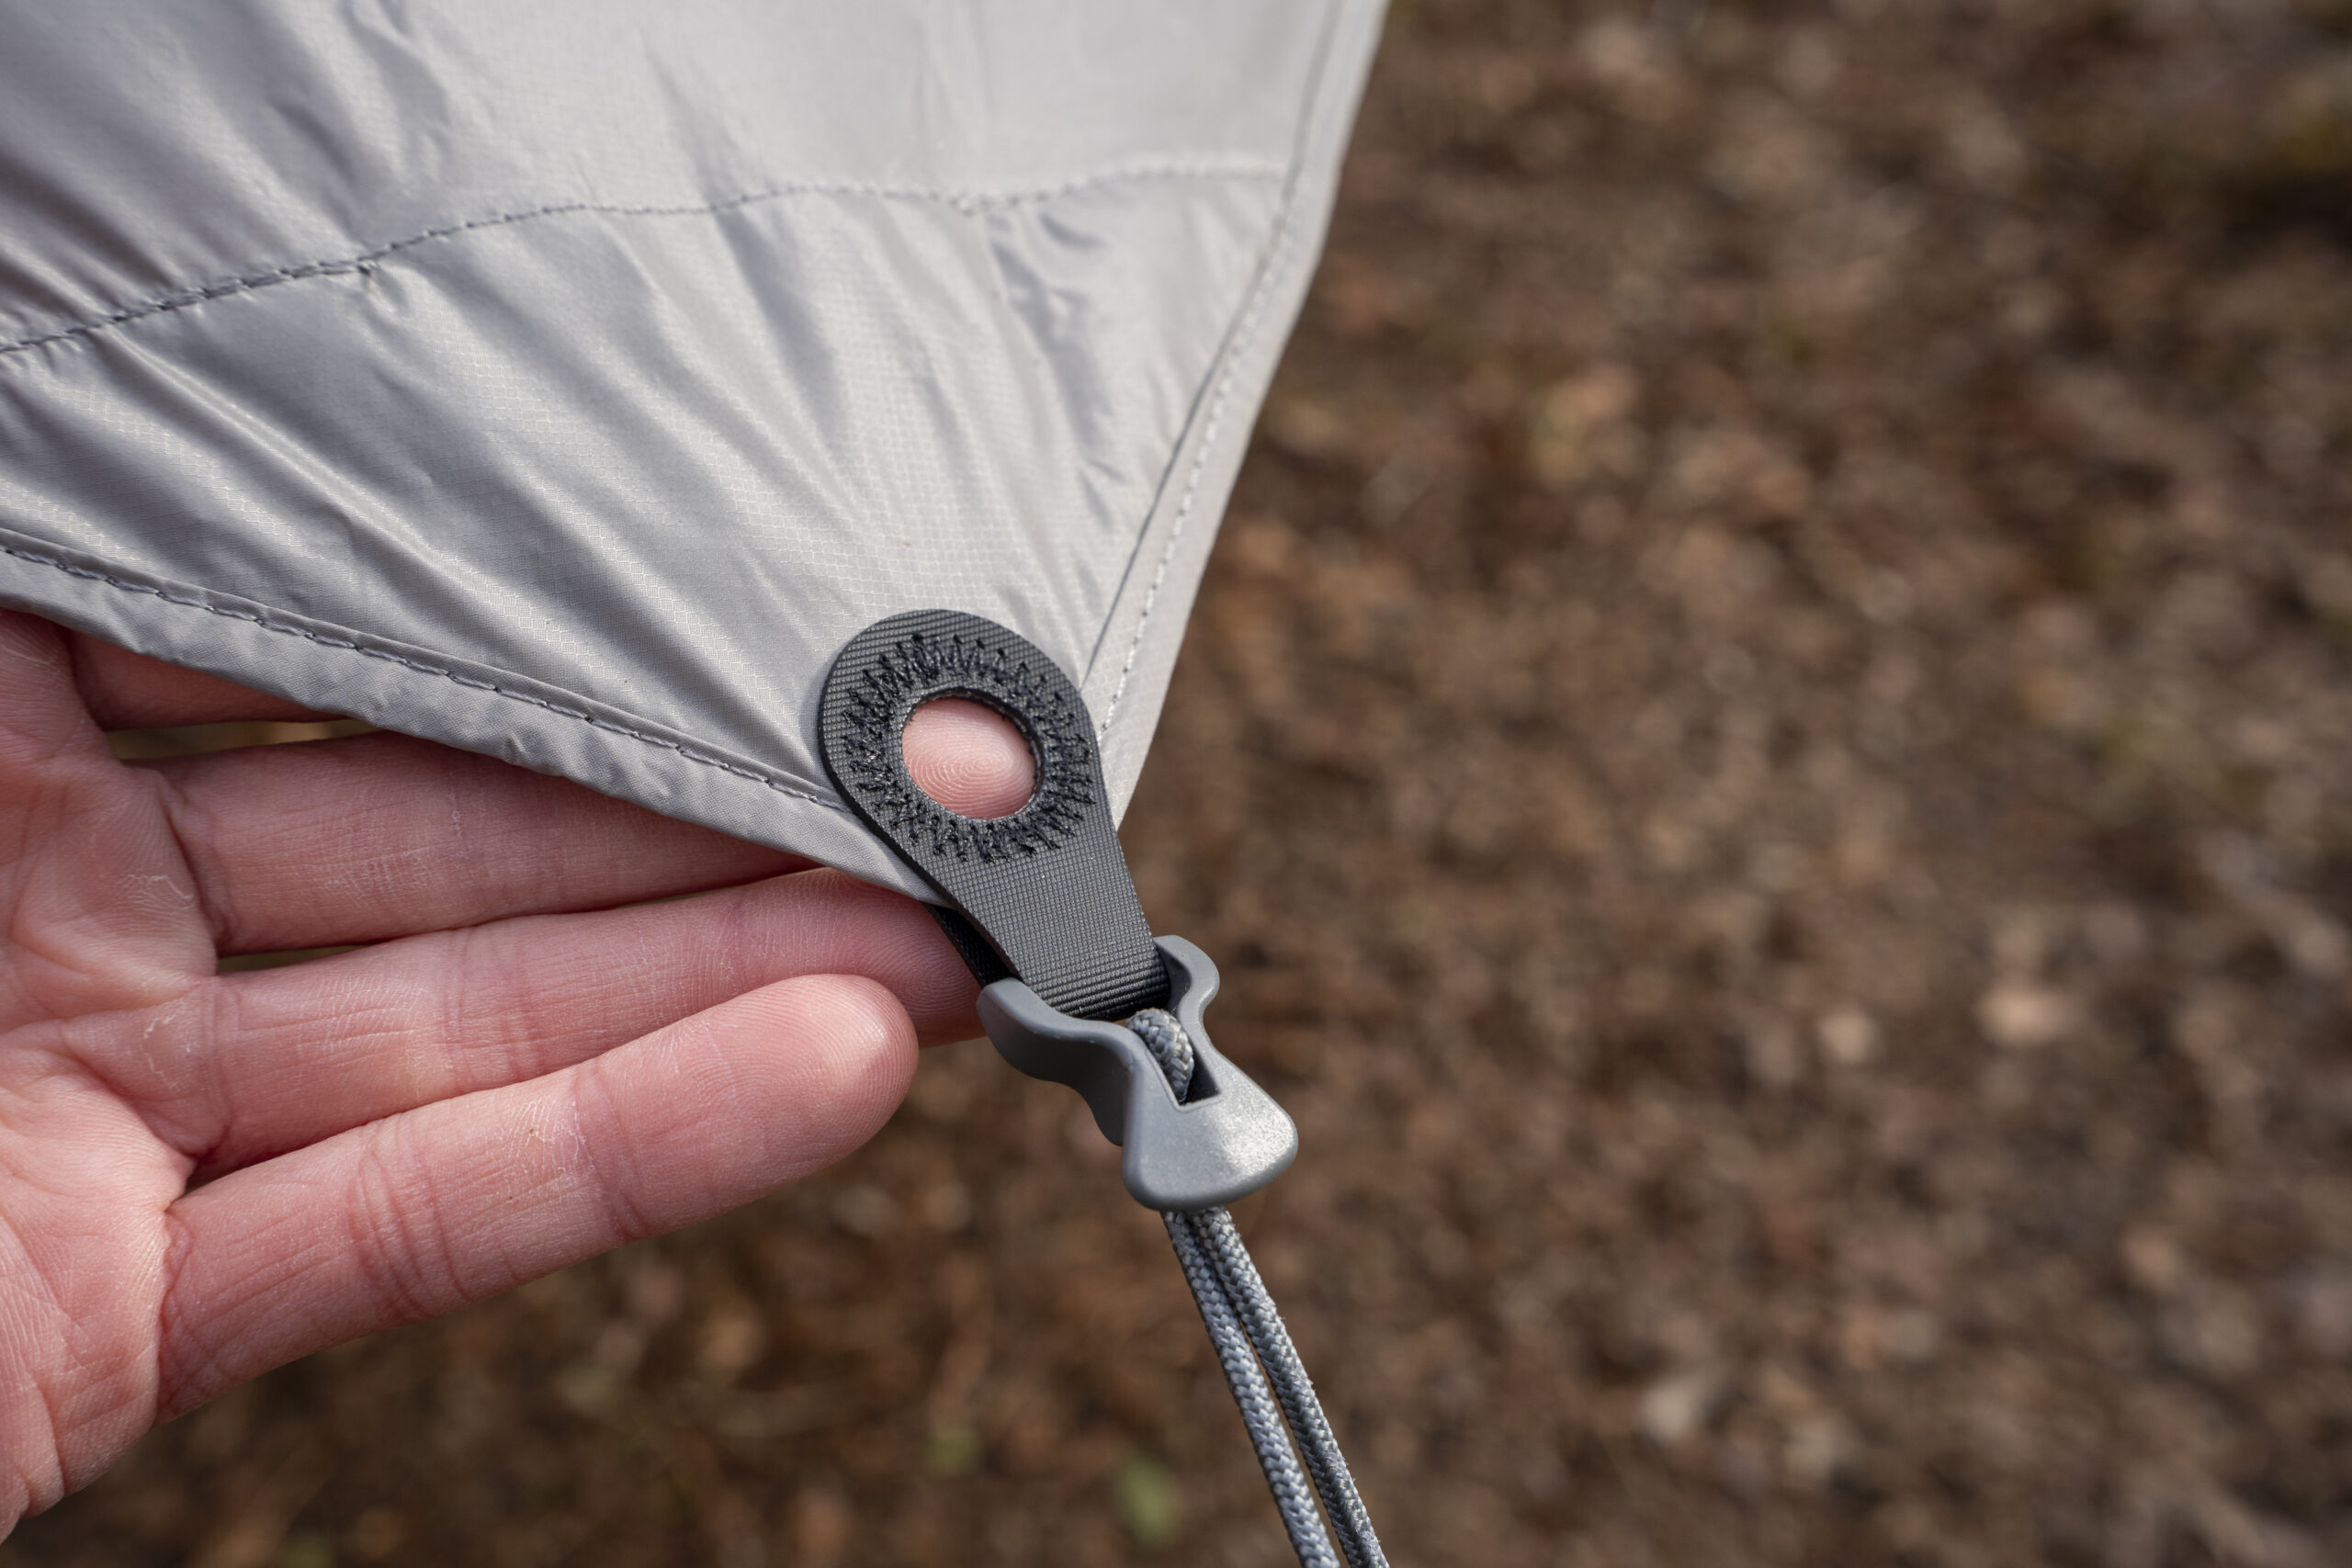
1045, 887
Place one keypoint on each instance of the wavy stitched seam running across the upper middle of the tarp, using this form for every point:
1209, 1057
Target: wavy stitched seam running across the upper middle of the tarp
963, 201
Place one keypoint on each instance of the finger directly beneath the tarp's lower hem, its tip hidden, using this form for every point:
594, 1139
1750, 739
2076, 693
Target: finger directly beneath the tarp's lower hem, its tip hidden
382, 836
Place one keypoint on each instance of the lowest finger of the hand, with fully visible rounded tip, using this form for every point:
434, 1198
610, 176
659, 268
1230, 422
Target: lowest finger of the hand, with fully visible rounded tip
457, 1202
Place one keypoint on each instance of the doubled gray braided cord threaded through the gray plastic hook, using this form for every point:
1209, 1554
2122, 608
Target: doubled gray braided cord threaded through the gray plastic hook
1257, 1351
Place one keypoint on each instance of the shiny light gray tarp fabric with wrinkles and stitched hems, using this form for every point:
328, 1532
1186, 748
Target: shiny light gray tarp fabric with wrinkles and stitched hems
570, 380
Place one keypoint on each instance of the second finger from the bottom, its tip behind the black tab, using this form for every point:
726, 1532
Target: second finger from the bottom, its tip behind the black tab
281, 1059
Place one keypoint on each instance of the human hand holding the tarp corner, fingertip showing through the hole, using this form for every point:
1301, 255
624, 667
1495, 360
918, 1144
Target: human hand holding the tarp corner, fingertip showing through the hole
211, 1174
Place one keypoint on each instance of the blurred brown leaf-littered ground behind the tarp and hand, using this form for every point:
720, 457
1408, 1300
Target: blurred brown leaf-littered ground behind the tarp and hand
1768, 758
